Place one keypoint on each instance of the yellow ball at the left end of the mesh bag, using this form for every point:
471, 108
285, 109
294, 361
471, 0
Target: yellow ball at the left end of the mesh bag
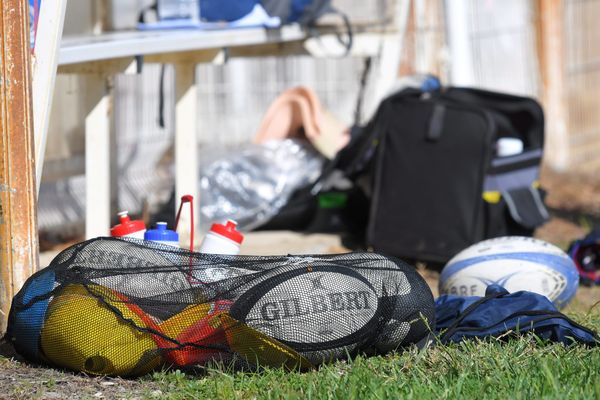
83, 334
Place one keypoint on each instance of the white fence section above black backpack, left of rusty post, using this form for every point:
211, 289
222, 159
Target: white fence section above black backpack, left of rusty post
500, 37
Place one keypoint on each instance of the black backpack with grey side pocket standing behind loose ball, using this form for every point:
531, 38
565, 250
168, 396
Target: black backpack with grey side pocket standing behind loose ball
432, 175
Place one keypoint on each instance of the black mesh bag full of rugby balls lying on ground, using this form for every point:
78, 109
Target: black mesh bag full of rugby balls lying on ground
124, 307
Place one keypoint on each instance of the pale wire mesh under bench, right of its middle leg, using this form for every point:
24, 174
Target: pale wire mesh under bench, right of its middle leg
234, 97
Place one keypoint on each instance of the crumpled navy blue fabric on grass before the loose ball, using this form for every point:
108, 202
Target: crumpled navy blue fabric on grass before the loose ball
499, 312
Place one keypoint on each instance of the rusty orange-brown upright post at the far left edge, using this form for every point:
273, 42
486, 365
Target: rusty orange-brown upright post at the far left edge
18, 225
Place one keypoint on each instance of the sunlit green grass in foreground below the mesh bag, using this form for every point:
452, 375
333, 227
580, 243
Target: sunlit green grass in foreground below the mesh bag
522, 369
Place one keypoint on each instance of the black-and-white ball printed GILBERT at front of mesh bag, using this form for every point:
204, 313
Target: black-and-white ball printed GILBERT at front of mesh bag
320, 311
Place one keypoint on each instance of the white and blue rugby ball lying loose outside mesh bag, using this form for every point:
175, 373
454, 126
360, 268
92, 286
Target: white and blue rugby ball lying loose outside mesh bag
514, 262
